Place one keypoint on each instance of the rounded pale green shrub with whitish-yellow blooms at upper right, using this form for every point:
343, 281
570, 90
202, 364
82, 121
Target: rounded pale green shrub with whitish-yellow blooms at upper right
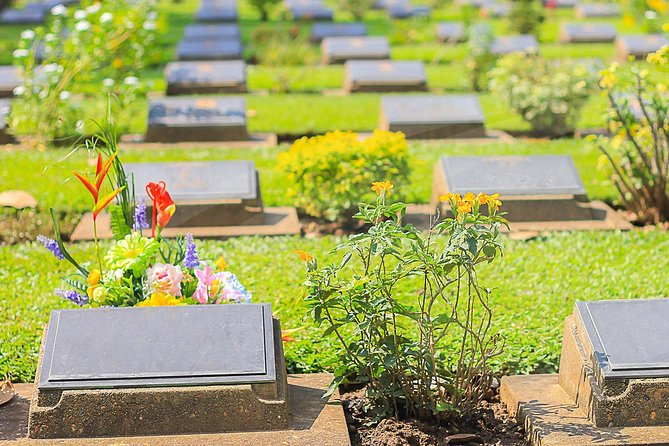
547, 94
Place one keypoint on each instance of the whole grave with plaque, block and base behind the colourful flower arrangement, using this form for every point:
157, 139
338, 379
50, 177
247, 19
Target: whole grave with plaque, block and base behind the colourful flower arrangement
216, 199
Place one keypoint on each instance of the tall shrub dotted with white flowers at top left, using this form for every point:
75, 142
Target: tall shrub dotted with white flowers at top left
104, 42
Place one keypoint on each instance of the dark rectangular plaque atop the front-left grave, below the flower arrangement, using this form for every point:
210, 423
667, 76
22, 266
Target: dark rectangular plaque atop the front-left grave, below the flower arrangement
159, 346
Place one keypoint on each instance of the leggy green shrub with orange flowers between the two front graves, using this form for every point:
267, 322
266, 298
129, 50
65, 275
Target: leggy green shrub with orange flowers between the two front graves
396, 297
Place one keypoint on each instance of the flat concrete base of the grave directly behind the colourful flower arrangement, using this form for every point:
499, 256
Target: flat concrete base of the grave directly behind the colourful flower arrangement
273, 221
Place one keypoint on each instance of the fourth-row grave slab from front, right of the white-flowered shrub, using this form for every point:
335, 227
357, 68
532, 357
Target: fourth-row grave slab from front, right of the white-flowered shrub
205, 77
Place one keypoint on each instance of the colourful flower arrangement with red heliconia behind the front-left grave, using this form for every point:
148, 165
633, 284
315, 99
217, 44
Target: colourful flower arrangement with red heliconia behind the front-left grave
141, 268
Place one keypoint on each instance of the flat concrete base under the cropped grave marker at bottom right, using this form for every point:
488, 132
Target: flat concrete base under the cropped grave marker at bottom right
552, 419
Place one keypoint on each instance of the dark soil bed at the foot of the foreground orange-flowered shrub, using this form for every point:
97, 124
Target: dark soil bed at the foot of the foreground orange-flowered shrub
490, 426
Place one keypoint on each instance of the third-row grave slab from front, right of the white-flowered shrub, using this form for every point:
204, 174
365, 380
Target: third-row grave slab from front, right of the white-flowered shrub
197, 119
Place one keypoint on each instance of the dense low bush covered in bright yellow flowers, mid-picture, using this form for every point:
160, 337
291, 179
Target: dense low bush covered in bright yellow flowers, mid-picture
328, 172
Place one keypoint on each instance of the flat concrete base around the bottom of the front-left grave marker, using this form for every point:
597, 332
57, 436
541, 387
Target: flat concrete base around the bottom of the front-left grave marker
313, 421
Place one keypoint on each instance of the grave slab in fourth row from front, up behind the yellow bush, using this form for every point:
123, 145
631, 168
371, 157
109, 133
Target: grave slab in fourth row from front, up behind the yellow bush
384, 76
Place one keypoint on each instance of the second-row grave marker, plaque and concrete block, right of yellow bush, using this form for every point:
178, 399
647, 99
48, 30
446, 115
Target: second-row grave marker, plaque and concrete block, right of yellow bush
542, 188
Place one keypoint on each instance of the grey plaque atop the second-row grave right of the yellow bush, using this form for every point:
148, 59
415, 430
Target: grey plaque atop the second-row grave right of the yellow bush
513, 175
